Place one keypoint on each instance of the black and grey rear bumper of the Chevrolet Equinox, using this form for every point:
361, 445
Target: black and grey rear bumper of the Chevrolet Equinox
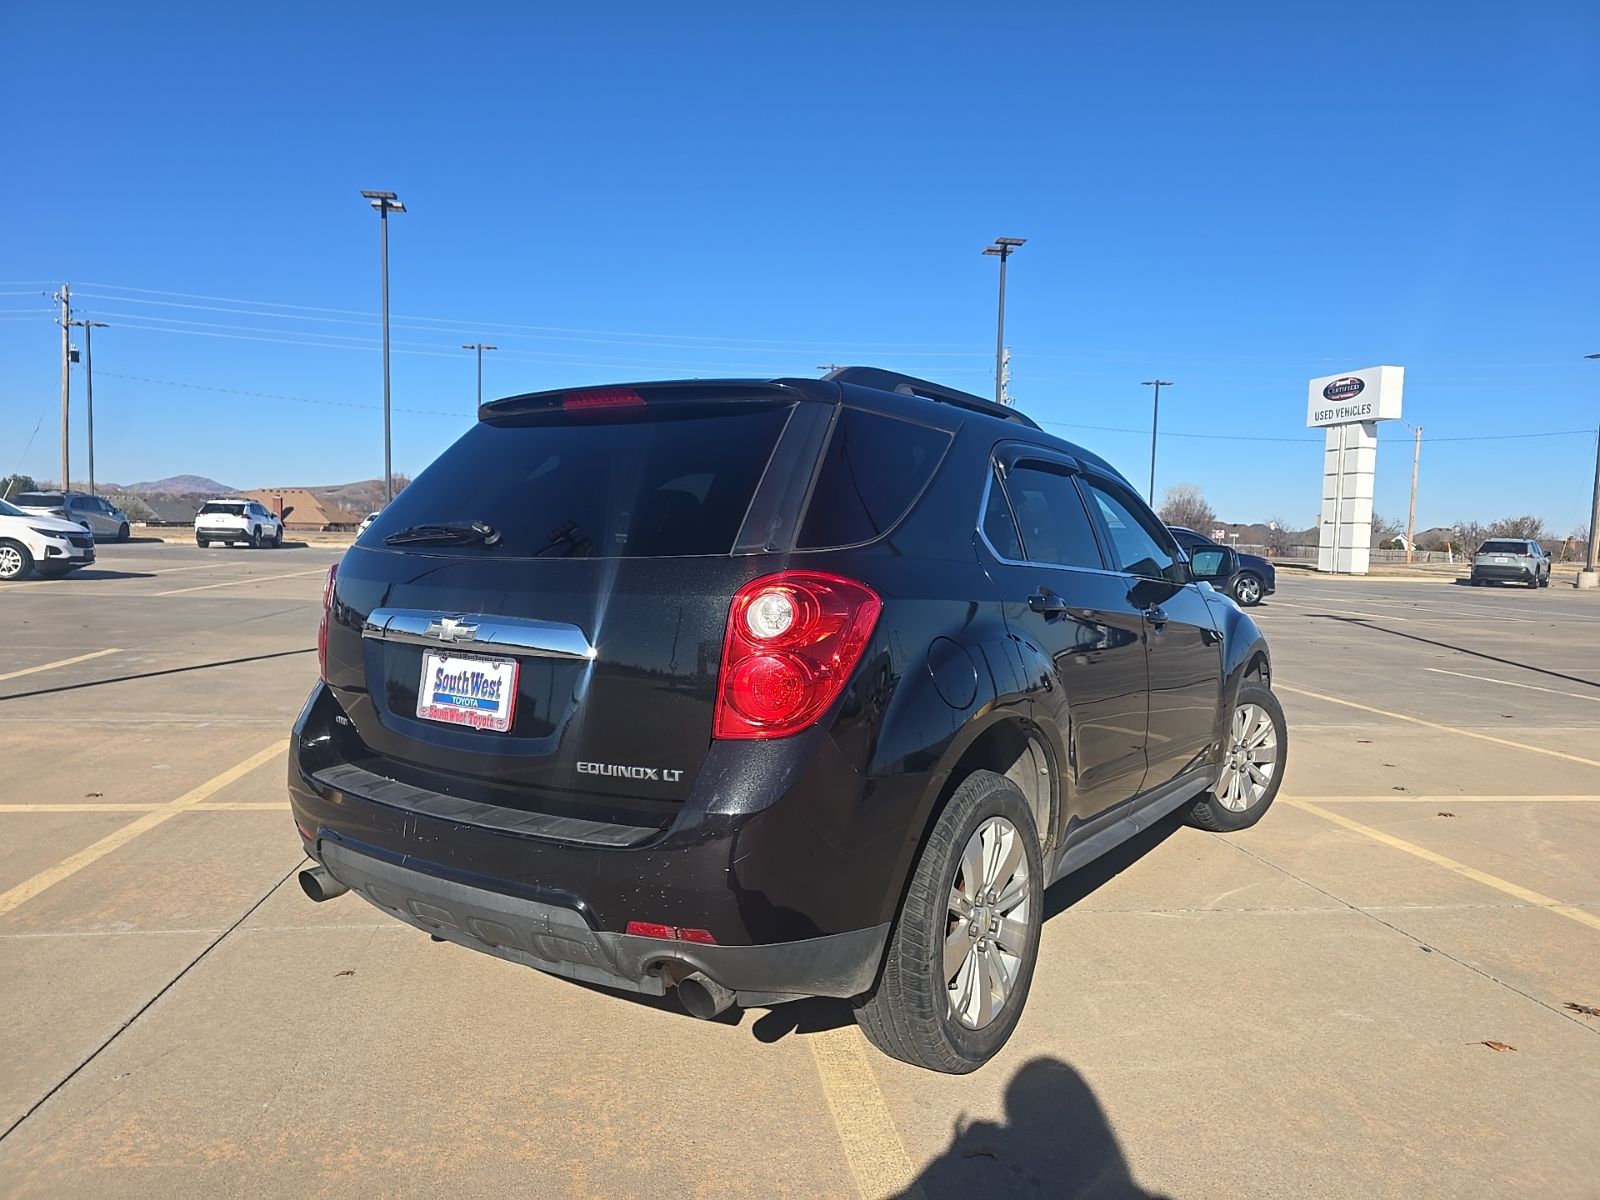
798, 878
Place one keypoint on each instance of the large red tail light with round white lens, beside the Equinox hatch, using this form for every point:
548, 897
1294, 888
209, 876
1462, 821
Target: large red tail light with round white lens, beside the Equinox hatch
793, 641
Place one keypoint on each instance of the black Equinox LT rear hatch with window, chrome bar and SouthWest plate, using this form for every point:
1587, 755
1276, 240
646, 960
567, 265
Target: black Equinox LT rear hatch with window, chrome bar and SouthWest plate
538, 620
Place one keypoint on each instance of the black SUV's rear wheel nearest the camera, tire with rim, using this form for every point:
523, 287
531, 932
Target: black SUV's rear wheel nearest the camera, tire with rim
986, 830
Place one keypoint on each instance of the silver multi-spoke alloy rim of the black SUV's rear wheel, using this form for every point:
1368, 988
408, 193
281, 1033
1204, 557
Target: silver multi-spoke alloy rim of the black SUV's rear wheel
988, 926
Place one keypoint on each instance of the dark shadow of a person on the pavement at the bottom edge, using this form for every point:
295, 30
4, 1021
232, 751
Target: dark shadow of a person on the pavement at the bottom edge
1055, 1142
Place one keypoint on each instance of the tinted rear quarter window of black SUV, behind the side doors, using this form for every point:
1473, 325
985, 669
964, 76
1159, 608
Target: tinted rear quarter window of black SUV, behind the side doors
873, 470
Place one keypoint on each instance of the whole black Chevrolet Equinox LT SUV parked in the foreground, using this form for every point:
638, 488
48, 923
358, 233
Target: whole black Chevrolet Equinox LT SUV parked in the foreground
770, 689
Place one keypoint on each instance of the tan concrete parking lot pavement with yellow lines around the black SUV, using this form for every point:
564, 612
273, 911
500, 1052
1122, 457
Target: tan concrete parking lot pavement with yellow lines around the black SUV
1369, 994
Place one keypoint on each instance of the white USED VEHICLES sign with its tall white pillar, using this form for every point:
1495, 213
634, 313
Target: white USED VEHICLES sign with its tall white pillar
1350, 409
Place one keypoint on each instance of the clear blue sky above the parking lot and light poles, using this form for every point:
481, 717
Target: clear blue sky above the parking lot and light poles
1236, 198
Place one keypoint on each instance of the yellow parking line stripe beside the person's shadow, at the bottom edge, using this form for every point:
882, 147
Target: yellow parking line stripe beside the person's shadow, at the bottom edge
873, 1148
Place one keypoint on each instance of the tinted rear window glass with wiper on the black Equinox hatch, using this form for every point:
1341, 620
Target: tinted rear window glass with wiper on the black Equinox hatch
660, 482
